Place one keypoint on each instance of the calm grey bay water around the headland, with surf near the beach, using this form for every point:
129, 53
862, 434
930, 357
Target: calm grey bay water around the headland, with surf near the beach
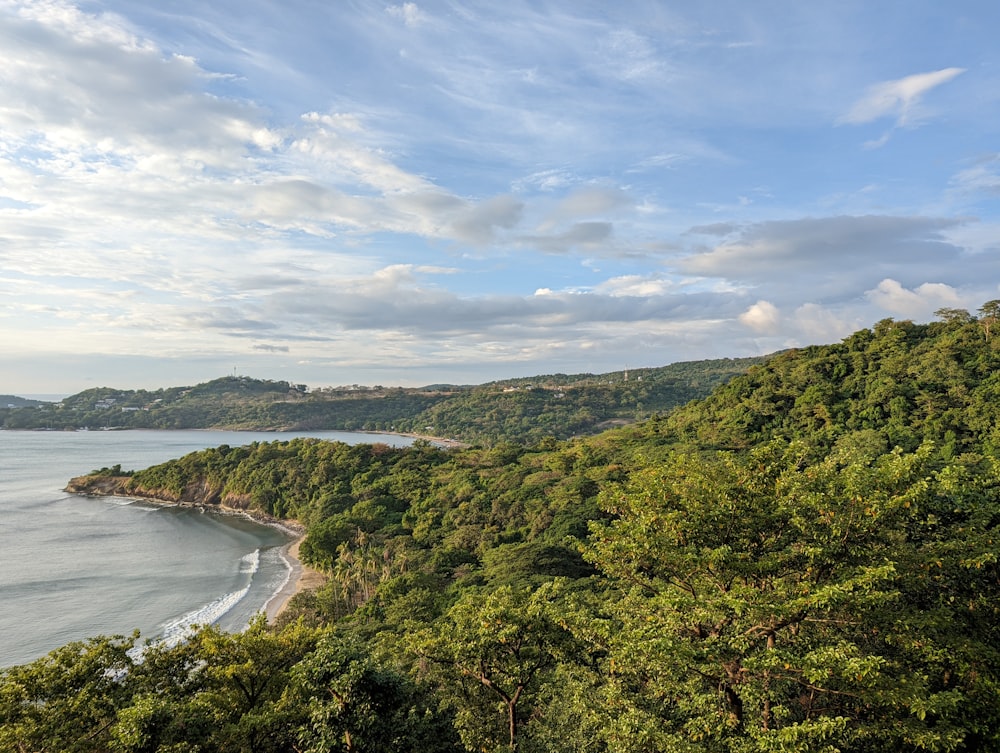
74, 567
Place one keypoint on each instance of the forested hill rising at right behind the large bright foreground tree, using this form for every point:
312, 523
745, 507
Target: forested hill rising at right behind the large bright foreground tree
908, 383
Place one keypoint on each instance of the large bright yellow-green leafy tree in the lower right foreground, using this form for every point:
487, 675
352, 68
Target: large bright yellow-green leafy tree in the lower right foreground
780, 603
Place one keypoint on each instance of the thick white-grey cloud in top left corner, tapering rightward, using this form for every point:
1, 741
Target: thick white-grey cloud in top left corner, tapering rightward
82, 92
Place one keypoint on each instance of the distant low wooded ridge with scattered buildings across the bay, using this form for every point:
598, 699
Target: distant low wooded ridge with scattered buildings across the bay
523, 410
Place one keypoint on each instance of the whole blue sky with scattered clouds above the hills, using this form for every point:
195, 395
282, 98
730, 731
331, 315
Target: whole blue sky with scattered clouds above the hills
411, 193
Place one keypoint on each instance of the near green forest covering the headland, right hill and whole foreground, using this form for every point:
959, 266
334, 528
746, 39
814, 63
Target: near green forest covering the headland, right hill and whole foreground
803, 562
